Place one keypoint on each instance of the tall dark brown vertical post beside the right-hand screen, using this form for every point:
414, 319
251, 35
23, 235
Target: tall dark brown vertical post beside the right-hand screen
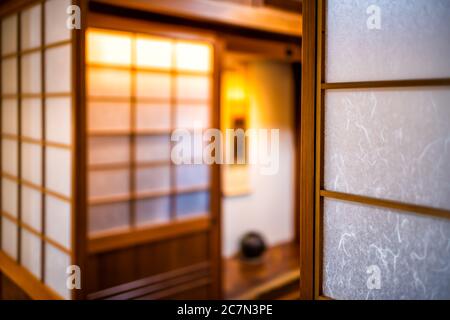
307, 149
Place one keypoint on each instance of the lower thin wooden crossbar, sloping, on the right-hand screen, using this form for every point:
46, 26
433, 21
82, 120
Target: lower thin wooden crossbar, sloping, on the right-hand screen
388, 204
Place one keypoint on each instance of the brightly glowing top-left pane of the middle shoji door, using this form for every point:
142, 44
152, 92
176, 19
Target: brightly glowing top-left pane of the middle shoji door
108, 47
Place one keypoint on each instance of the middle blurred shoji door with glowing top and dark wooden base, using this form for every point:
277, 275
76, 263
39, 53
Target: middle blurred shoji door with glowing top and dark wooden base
144, 81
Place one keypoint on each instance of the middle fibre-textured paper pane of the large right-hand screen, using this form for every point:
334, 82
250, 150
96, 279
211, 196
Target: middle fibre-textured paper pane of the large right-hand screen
389, 143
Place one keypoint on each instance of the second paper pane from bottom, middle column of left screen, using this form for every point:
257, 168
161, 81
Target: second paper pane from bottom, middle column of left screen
31, 207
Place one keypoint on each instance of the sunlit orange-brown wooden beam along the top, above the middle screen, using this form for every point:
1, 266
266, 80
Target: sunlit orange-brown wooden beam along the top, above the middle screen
256, 18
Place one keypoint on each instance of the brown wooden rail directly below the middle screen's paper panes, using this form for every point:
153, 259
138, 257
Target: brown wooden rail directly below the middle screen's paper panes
109, 241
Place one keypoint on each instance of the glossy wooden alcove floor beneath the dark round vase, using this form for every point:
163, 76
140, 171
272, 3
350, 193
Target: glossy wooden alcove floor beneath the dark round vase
277, 272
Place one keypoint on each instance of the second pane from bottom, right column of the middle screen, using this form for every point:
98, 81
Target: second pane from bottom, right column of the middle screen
189, 176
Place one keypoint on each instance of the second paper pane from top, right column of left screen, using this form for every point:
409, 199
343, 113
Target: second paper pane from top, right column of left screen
58, 69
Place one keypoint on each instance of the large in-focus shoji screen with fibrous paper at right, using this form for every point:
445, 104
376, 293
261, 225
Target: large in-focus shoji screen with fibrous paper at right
383, 150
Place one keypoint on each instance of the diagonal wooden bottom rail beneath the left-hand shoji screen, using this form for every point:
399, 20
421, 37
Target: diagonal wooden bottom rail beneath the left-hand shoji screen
34, 288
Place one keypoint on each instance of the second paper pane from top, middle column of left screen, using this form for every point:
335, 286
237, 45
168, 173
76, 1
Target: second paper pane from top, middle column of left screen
31, 73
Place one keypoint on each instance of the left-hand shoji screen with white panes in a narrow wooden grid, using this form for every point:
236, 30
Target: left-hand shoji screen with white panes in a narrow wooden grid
36, 141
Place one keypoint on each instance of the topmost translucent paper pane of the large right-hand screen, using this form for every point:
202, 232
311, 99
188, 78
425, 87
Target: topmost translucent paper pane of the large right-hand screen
413, 41
